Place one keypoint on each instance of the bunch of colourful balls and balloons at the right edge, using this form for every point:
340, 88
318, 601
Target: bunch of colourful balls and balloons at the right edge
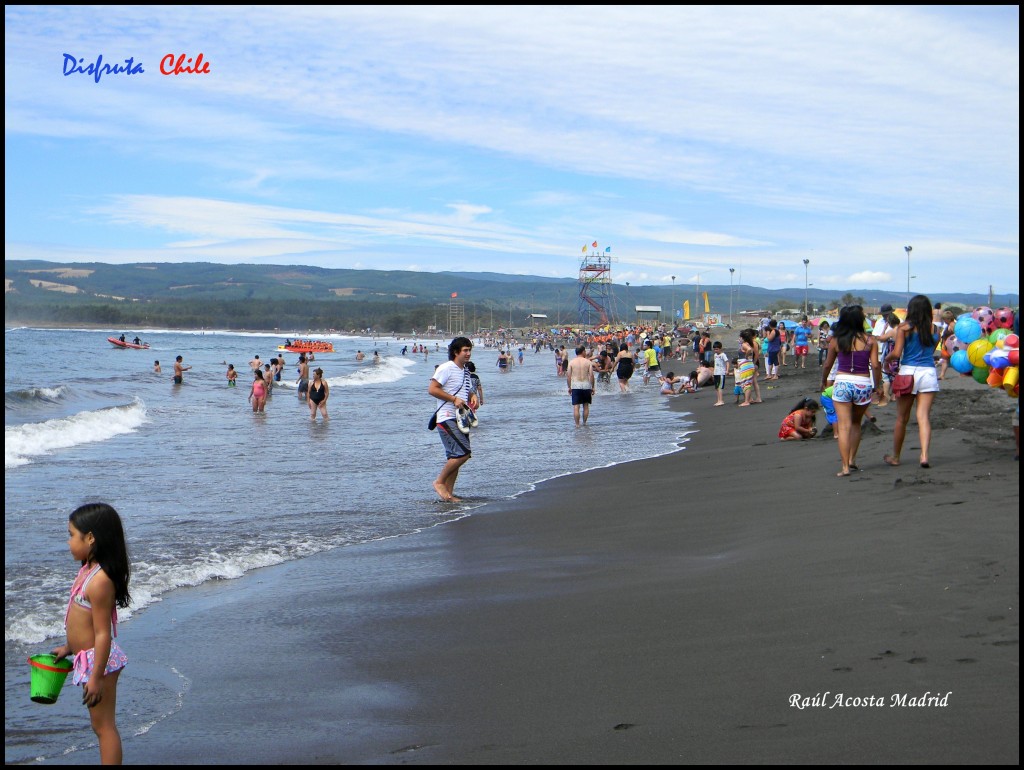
985, 348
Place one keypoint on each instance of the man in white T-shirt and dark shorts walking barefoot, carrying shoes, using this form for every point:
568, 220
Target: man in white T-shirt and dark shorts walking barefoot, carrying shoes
451, 386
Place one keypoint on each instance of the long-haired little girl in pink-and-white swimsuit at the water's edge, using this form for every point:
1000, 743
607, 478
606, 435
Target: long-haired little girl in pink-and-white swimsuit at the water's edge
97, 539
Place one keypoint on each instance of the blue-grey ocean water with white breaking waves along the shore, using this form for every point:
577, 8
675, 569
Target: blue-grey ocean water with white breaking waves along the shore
209, 492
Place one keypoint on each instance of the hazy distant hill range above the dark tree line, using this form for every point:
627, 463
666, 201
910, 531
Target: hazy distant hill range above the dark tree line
39, 285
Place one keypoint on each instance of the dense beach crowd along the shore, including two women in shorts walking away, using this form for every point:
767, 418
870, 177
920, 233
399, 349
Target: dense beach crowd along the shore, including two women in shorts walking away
865, 363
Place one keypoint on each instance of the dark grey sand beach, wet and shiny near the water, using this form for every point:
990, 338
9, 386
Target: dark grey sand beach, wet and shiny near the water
660, 612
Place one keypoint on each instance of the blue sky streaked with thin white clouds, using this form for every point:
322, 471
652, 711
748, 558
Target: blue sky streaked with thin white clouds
689, 140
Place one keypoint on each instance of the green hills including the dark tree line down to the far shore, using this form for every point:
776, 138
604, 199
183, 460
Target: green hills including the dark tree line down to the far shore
248, 296
